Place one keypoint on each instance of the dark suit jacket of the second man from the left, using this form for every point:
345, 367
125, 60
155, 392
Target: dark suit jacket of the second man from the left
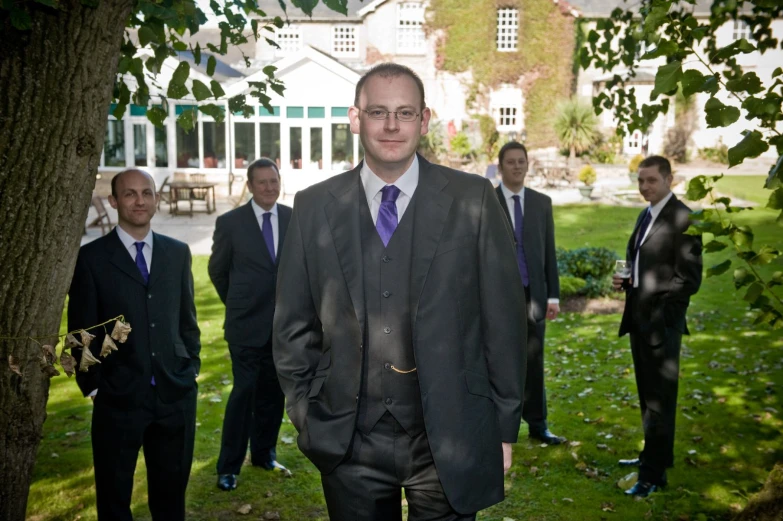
244, 275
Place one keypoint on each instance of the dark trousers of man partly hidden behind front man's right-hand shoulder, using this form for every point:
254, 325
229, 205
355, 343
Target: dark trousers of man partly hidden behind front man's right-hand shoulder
534, 404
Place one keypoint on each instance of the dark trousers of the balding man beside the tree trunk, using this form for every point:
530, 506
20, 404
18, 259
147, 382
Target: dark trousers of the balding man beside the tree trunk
166, 431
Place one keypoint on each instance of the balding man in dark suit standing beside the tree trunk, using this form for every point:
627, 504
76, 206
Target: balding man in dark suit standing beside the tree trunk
145, 392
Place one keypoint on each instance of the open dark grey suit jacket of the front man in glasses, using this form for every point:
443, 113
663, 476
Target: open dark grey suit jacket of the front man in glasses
468, 317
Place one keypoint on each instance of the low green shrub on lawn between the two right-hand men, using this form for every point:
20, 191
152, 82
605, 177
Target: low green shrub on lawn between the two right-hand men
594, 265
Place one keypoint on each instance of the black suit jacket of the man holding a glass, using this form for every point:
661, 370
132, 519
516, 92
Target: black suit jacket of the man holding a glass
670, 267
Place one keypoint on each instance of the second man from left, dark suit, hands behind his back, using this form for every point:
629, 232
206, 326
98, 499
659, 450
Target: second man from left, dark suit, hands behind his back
243, 268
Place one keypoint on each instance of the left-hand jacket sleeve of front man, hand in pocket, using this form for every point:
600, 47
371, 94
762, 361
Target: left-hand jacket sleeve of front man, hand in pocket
297, 332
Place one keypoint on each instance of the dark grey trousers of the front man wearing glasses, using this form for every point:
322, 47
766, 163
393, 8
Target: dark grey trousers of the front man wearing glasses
367, 485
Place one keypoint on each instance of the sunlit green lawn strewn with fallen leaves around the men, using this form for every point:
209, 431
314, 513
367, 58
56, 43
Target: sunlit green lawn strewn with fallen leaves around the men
730, 385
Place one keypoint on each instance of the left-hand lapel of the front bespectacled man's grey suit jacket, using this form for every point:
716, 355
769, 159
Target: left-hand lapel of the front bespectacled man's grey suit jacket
342, 214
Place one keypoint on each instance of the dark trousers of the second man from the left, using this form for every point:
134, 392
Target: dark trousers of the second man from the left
254, 410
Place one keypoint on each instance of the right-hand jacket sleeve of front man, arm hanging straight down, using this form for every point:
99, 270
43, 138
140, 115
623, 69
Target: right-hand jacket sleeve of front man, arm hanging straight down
503, 315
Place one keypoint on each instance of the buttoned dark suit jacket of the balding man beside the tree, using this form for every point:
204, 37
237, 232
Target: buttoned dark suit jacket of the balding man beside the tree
164, 340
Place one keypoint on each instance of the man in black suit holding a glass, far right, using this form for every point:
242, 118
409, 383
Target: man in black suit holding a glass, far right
666, 267
